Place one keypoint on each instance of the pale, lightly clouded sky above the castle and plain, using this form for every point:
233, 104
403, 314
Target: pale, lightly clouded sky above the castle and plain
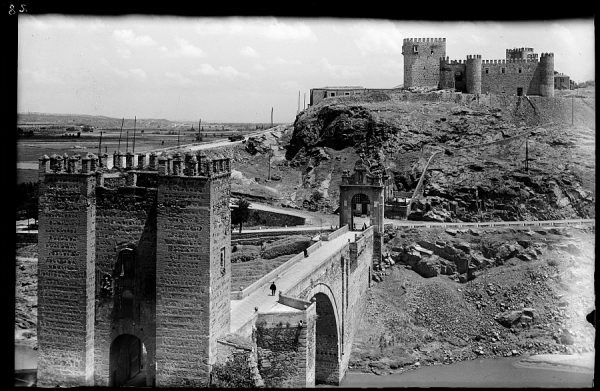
235, 69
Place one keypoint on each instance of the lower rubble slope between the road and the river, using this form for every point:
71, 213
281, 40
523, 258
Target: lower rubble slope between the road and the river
531, 295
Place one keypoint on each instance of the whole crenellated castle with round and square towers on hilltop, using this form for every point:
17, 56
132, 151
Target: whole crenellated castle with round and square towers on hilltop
520, 73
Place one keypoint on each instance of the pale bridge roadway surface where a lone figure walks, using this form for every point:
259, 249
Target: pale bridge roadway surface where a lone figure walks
242, 310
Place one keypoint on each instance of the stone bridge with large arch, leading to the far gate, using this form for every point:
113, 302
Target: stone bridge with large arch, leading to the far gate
303, 335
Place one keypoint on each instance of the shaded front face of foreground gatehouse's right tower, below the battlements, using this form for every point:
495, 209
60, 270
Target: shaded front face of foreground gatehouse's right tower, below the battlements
183, 257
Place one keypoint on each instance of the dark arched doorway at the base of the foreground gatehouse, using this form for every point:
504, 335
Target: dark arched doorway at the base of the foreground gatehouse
127, 361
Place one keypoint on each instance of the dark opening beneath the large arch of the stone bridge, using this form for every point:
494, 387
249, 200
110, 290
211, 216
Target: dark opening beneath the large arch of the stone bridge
327, 356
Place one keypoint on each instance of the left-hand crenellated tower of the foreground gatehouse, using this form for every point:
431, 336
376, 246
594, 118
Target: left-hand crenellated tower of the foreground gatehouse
66, 276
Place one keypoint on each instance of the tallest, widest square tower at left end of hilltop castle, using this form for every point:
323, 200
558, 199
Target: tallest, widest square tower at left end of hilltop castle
422, 61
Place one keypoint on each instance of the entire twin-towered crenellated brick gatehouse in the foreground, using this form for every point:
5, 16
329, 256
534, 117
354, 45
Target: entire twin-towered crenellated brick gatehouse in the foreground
134, 268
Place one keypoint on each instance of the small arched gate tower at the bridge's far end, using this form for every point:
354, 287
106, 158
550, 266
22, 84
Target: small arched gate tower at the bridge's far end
361, 193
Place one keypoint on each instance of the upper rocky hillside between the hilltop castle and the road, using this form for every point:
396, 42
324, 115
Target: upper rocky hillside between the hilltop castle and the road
481, 174
